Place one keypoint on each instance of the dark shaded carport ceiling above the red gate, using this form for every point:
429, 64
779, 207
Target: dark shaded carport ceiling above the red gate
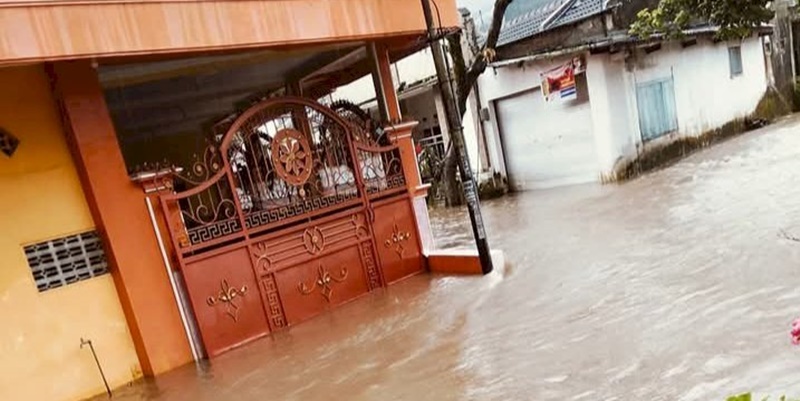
170, 96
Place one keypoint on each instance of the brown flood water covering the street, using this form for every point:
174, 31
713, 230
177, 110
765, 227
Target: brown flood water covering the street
675, 286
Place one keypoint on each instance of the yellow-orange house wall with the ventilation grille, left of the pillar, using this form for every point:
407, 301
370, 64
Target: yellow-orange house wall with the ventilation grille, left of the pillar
41, 198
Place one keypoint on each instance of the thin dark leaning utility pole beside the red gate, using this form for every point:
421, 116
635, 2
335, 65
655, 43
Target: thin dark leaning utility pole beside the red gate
457, 140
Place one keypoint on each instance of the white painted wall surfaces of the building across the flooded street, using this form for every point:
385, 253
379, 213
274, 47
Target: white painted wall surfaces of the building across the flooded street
706, 95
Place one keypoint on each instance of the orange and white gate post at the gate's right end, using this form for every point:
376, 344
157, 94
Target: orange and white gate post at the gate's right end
401, 135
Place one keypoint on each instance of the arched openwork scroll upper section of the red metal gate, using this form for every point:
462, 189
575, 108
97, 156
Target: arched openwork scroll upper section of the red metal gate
282, 160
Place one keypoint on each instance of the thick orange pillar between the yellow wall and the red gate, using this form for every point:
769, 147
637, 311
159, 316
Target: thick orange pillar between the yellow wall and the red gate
120, 212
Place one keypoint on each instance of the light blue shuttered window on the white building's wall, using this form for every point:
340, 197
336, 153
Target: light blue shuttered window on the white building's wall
657, 113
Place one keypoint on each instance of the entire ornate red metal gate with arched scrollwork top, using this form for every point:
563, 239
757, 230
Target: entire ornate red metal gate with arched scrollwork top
296, 209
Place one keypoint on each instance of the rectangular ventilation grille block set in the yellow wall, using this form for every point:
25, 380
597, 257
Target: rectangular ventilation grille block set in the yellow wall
66, 260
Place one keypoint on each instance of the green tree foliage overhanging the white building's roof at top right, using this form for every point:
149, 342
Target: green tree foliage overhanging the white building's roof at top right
735, 18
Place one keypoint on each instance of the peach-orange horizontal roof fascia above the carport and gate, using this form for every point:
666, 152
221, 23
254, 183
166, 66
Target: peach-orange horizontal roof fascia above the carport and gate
53, 29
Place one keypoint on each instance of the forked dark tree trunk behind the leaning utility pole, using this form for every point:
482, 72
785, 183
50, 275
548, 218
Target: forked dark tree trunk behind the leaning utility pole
464, 79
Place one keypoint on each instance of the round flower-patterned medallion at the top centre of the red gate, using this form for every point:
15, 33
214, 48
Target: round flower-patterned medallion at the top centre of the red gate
291, 156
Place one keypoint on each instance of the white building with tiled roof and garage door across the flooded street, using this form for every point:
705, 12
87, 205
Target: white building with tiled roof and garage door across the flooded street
633, 97
